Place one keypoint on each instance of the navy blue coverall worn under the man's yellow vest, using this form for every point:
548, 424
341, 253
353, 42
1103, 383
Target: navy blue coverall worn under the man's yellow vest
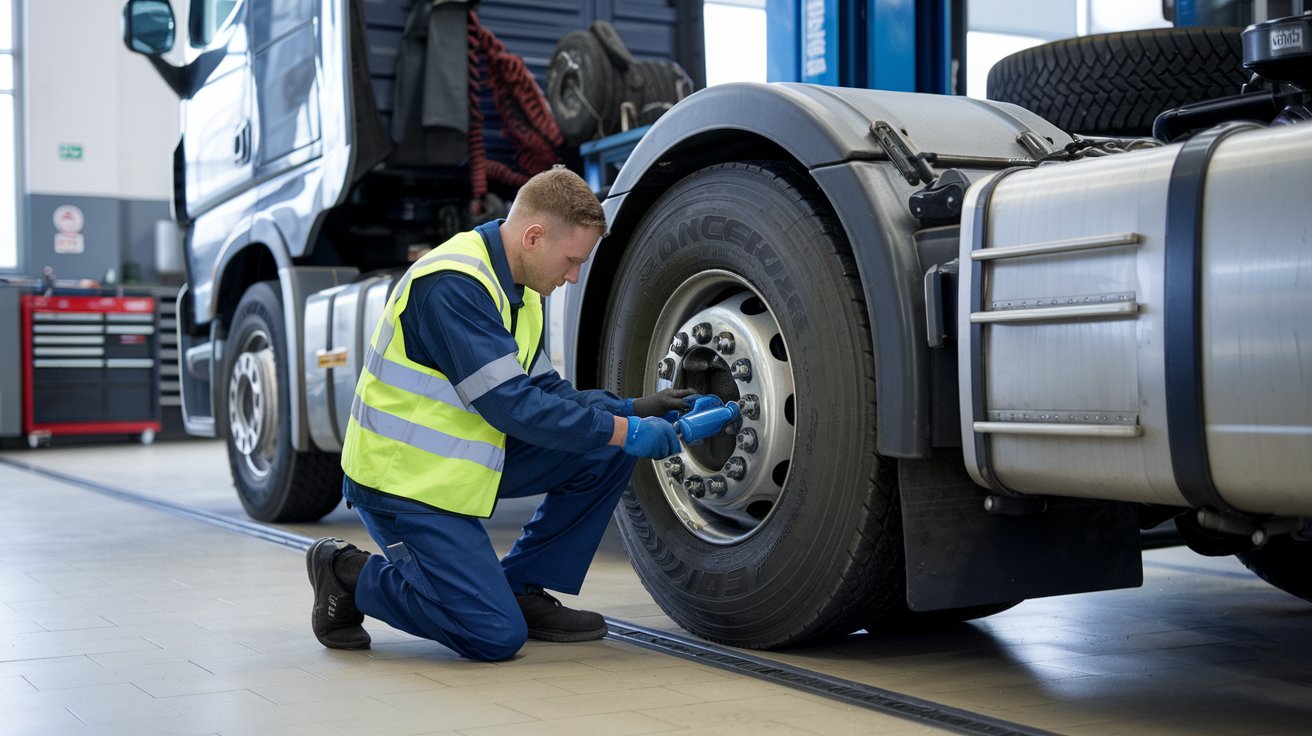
441, 578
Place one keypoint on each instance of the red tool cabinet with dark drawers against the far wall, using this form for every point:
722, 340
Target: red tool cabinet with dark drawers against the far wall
90, 367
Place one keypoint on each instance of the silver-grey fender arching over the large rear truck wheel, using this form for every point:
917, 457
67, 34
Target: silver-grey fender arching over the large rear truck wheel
826, 132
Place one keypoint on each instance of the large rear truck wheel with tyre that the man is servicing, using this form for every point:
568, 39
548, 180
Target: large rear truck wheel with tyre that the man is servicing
739, 283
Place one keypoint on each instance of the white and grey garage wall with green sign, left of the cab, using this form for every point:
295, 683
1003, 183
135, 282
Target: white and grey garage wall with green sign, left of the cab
100, 134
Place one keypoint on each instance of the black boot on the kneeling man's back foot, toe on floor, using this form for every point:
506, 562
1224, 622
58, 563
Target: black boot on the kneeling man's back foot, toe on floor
335, 619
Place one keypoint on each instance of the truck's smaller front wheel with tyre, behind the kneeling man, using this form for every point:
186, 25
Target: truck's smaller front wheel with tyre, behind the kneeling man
275, 482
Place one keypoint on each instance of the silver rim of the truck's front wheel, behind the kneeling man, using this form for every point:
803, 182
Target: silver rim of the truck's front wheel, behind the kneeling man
253, 401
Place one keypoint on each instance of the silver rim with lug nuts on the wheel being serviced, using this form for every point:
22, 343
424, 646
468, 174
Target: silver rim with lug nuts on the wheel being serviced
718, 337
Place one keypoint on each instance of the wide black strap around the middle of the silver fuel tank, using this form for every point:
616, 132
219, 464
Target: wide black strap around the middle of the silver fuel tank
1183, 318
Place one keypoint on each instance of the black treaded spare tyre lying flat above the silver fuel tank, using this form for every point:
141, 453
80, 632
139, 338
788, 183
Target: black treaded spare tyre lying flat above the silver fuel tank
1117, 83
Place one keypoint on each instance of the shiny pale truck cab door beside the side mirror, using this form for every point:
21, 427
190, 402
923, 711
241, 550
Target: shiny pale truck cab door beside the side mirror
217, 119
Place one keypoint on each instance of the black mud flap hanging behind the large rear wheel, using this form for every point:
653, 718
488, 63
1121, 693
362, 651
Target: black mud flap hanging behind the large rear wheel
960, 556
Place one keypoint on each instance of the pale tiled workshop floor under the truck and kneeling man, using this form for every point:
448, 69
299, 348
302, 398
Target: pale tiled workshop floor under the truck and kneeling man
119, 619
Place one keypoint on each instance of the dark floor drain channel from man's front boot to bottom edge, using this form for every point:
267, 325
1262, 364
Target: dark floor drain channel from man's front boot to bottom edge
847, 691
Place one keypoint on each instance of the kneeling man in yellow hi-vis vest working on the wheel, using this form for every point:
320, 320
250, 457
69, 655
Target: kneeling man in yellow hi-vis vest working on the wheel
460, 406
